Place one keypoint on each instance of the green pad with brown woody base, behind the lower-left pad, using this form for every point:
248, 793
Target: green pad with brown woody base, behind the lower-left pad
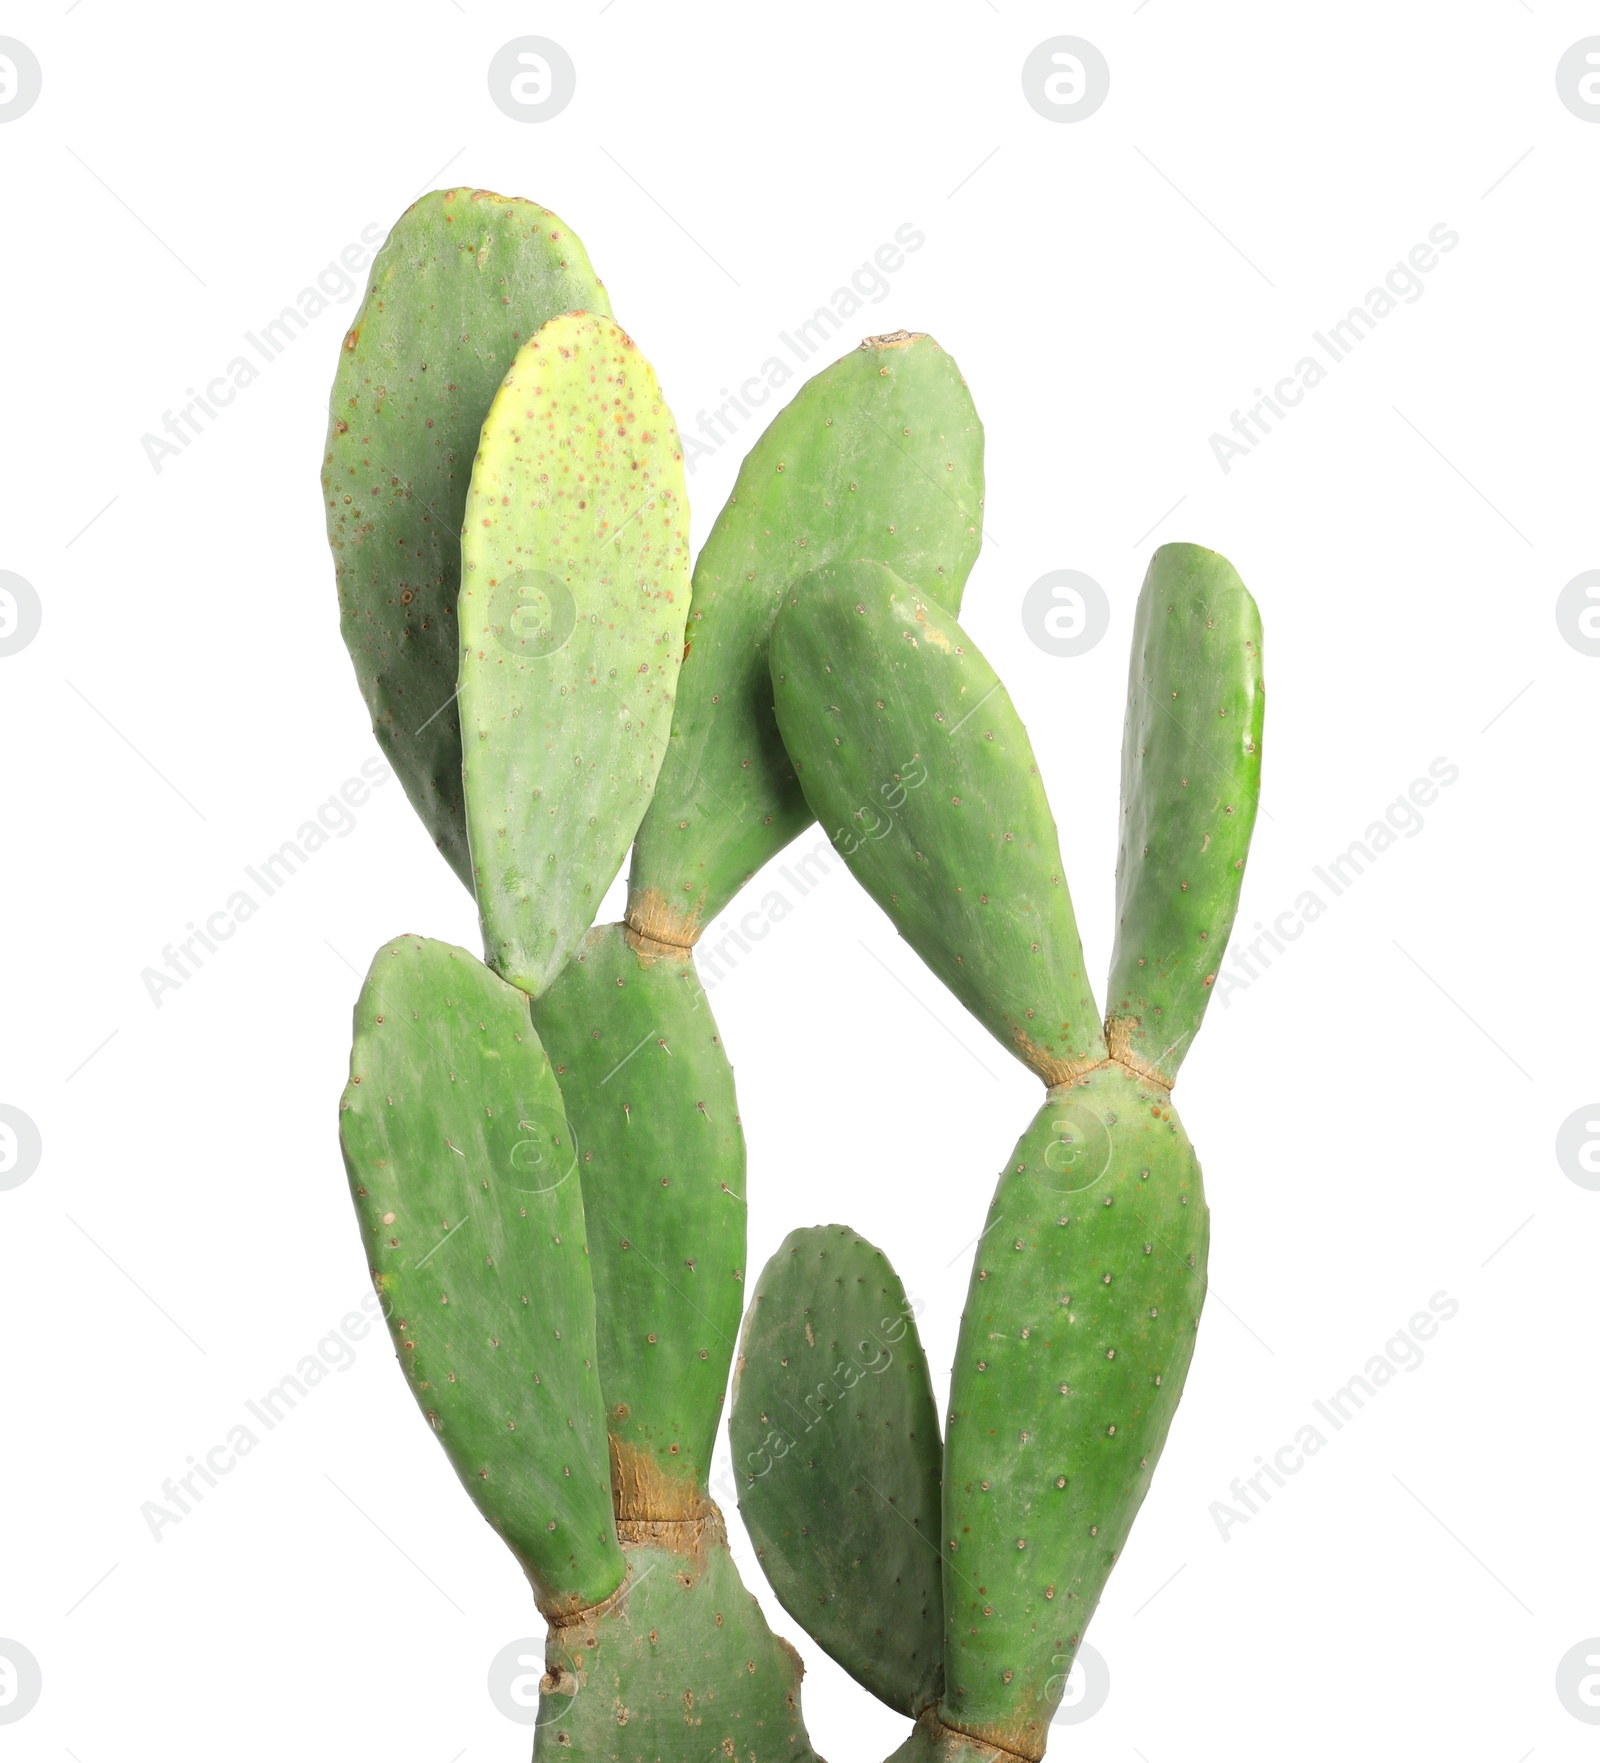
649, 1090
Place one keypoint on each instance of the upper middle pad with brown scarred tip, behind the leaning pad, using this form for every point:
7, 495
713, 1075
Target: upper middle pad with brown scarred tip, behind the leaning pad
880, 456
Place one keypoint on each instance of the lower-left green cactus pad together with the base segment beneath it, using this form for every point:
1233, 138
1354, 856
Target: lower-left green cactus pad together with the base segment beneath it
466, 1182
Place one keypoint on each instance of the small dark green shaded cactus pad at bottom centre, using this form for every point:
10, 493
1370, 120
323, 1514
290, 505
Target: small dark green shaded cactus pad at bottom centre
836, 1443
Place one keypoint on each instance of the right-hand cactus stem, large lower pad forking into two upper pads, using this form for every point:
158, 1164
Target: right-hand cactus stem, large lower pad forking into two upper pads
1090, 1279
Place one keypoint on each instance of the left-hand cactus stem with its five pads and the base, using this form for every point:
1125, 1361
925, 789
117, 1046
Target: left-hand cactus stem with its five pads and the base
558, 629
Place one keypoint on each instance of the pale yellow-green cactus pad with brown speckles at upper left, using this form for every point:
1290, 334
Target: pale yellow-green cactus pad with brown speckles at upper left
575, 590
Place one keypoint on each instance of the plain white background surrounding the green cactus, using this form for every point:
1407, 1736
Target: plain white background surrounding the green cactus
1377, 1113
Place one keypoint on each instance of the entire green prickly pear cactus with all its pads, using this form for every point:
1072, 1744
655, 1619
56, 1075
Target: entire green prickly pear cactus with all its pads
545, 1149
